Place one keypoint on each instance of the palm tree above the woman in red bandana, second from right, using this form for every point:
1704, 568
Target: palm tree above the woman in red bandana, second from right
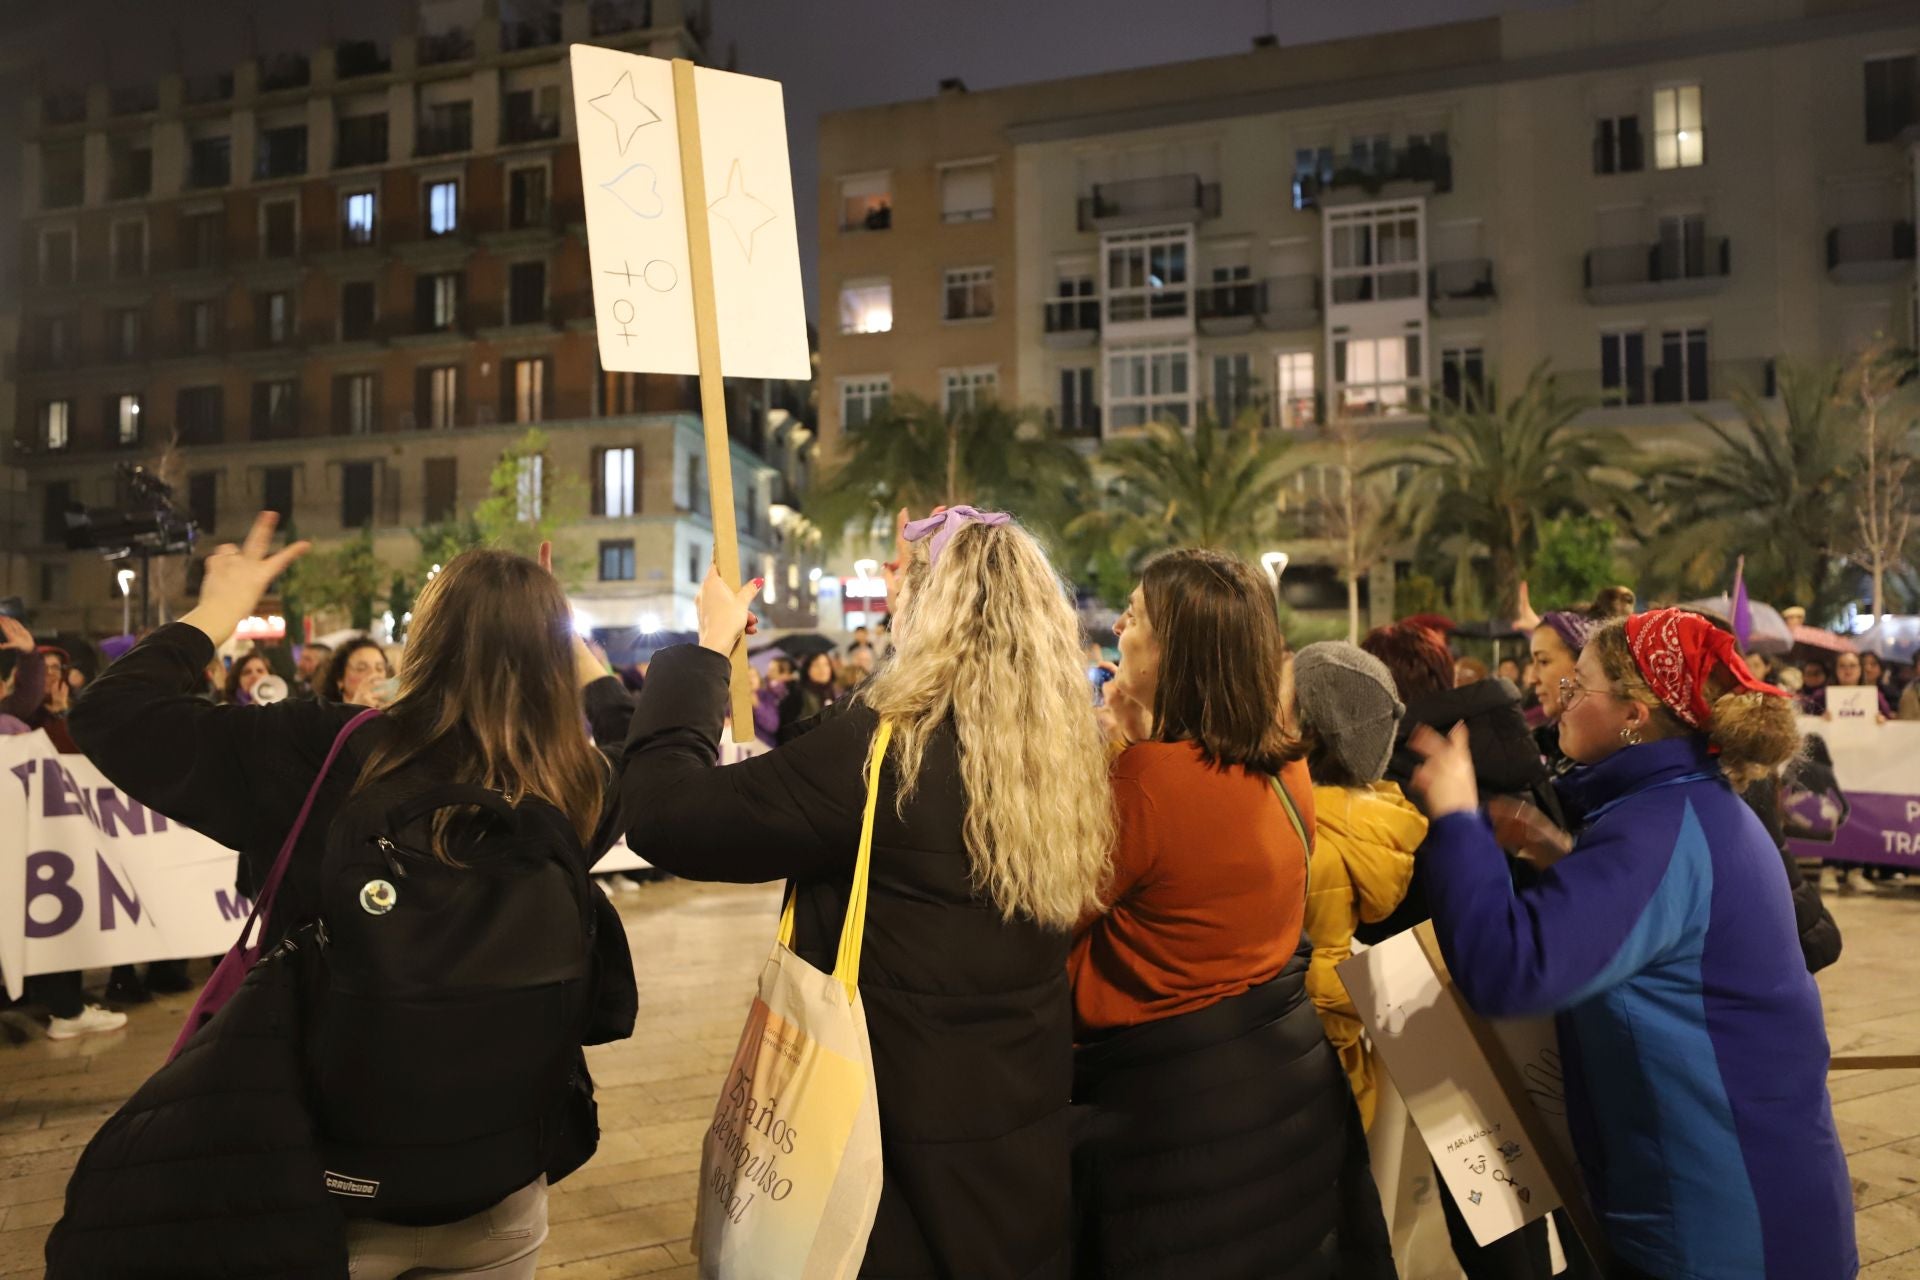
1487, 477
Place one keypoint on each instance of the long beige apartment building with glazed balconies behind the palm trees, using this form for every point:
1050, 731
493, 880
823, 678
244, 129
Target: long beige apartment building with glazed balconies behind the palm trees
1660, 202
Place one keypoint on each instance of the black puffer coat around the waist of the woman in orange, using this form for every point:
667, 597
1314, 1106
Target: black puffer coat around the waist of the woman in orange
1226, 1145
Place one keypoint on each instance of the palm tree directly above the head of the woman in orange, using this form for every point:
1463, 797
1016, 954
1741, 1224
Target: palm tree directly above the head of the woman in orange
1214, 486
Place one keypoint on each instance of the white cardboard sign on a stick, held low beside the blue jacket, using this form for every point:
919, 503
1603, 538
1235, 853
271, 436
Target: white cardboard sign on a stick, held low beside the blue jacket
1476, 1091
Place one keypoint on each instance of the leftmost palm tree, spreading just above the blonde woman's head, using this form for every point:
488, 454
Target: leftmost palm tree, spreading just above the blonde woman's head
919, 458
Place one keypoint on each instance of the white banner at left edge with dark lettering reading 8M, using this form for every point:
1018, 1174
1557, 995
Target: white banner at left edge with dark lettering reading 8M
91, 878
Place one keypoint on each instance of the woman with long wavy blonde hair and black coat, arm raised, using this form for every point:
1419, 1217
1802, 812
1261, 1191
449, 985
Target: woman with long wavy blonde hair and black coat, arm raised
992, 841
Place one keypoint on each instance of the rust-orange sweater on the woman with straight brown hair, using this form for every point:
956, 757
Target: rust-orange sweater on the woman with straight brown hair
1209, 889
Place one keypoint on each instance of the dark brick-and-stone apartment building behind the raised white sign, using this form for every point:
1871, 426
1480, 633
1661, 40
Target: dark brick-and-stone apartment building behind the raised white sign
339, 285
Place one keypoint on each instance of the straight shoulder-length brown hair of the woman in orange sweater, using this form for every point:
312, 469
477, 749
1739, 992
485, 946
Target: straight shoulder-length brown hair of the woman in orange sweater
1222, 661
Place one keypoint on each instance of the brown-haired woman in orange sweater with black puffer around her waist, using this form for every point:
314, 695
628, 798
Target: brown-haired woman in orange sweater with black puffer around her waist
1222, 1135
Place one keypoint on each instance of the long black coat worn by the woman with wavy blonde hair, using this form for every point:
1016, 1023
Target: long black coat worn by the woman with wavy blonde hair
971, 1016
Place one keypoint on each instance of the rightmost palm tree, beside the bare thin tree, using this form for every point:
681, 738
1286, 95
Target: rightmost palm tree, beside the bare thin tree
1777, 488
